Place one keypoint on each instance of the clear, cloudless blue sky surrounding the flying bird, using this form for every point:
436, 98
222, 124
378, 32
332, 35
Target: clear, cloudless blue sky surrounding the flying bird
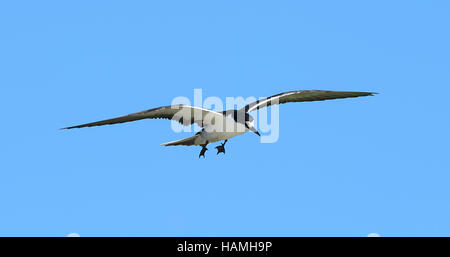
340, 168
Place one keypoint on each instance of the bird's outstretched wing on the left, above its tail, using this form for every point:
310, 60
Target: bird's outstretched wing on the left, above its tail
185, 114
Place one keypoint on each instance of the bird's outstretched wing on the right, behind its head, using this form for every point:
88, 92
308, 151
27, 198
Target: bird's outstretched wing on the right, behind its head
302, 96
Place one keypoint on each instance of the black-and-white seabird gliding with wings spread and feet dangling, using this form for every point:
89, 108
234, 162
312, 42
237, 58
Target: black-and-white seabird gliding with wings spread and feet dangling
216, 125
